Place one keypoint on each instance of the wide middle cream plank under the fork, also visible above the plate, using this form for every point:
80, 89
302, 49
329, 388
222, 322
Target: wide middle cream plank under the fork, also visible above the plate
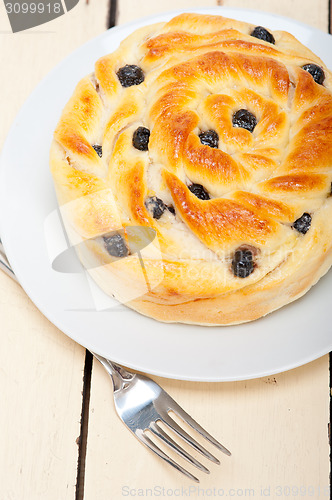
276, 427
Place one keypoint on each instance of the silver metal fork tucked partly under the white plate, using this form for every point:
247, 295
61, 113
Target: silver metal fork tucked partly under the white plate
143, 405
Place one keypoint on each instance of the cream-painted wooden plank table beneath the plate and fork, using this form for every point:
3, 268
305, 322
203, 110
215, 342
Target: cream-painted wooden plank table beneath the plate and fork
59, 435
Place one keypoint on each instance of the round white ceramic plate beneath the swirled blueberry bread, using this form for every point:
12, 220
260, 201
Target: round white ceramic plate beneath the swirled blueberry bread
292, 336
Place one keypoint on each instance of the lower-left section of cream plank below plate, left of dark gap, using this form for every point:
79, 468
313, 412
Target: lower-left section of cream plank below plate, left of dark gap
40, 387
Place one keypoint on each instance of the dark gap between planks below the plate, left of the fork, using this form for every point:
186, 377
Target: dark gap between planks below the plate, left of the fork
83, 437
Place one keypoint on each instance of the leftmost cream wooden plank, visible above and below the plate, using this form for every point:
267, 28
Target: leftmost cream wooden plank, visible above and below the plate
41, 369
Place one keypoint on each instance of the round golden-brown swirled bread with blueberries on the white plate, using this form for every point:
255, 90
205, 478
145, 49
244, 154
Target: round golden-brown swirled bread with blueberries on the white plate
214, 137
